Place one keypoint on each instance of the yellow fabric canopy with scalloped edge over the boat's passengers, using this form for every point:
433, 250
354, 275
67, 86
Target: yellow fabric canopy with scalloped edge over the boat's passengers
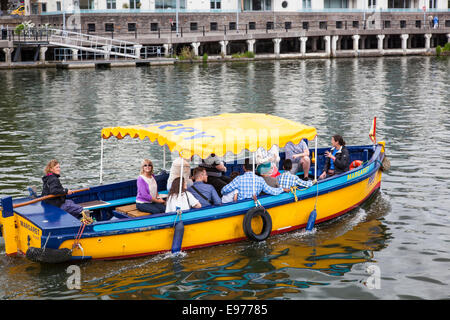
229, 132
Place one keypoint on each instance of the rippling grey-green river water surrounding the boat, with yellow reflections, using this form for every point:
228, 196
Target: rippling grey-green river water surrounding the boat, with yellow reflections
402, 233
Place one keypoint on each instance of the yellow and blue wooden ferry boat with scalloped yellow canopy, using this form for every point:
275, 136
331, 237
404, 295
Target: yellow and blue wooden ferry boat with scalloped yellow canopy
46, 234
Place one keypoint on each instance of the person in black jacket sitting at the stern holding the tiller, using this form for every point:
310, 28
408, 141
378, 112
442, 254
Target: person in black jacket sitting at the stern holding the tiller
52, 186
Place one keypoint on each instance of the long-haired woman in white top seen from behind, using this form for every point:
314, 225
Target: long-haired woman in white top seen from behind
185, 201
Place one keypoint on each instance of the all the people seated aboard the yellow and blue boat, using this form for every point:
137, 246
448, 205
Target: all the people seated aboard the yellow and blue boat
209, 185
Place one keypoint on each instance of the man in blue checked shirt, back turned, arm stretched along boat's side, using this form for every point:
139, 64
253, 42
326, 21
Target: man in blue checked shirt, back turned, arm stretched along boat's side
250, 184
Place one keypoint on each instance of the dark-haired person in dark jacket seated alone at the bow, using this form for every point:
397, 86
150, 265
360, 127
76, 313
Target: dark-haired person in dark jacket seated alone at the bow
337, 161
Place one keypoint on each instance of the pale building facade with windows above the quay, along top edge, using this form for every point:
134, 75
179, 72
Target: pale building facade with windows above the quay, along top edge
217, 6
